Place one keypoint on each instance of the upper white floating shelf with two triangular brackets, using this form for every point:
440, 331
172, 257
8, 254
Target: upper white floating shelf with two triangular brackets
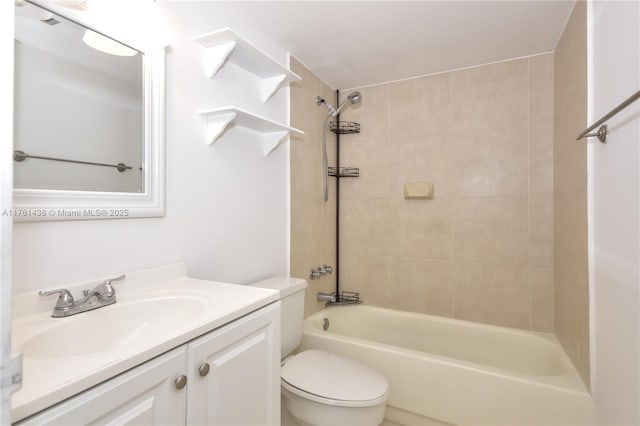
225, 45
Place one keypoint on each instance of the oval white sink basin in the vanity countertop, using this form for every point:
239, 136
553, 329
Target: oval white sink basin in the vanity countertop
116, 325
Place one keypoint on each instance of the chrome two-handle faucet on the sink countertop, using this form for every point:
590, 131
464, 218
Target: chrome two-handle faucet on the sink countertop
101, 295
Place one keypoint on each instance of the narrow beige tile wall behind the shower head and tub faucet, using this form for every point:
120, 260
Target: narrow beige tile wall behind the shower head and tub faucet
313, 221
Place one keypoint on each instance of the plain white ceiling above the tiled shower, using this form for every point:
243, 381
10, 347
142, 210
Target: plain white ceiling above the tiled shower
357, 43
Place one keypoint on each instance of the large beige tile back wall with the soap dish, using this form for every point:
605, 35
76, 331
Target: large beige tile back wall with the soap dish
482, 249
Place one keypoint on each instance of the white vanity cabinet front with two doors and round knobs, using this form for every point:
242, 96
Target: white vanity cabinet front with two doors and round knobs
241, 385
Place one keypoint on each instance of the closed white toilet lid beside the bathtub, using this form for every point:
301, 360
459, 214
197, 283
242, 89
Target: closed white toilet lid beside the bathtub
330, 376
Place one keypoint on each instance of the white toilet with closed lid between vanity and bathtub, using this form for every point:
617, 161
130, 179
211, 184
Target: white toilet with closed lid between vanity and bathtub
318, 387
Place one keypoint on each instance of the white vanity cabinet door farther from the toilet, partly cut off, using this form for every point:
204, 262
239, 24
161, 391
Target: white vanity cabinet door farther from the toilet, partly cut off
145, 395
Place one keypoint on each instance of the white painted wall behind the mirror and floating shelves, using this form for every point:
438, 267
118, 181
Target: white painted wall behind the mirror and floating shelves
227, 205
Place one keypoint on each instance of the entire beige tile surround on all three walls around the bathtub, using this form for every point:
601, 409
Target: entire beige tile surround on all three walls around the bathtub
485, 248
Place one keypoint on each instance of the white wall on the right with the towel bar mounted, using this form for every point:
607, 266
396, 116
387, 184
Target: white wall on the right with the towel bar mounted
615, 213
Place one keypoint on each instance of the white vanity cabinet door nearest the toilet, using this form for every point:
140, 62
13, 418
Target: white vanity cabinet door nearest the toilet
242, 386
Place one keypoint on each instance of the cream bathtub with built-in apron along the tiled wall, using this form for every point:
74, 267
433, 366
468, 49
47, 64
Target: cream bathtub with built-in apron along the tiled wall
447, 371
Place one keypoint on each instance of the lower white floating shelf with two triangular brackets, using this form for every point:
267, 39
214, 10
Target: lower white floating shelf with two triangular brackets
219, 120
